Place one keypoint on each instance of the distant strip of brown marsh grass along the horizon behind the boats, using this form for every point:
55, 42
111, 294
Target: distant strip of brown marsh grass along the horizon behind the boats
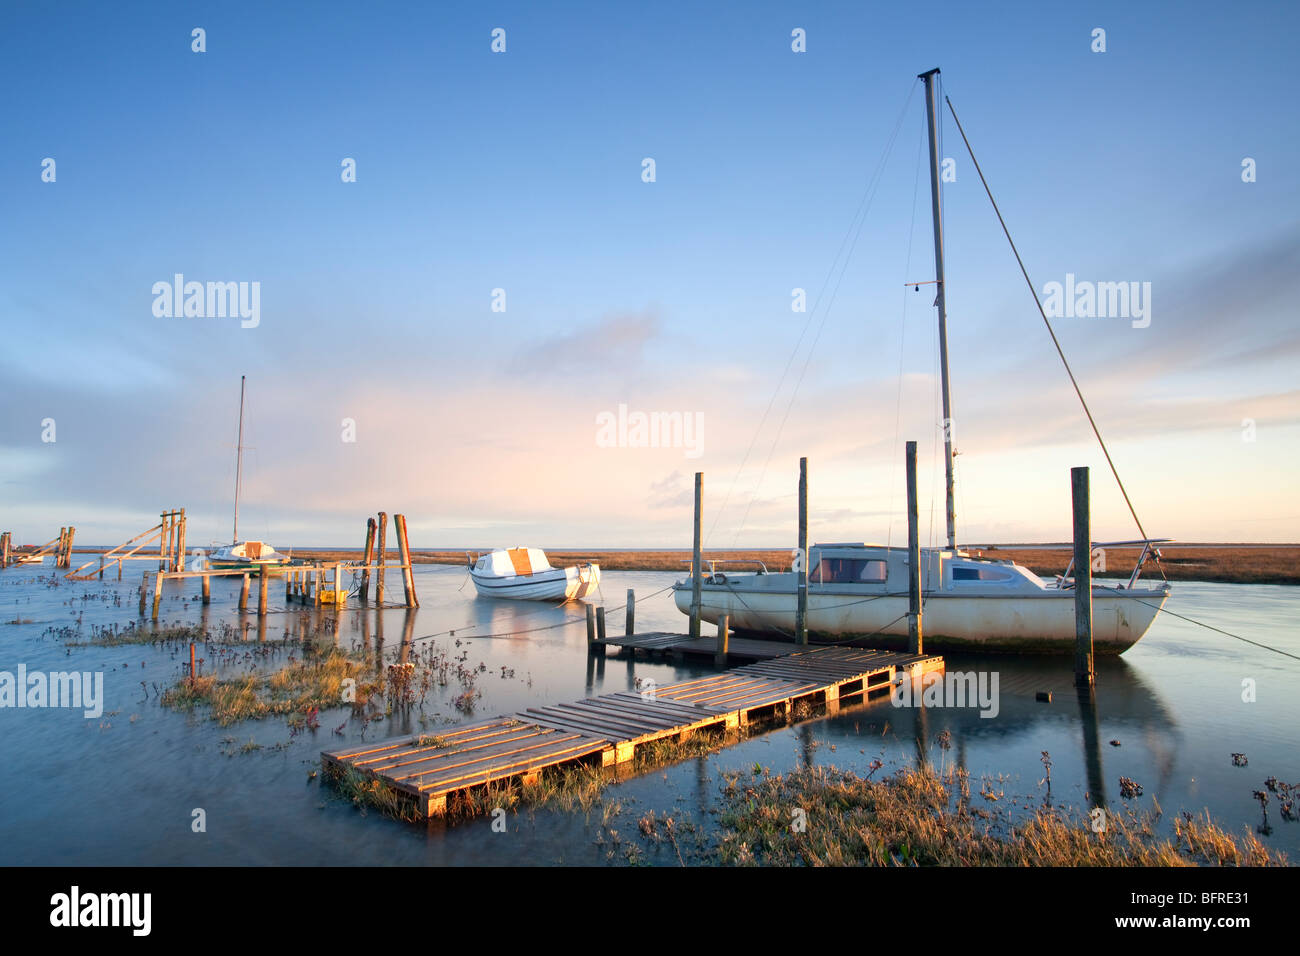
1230, 564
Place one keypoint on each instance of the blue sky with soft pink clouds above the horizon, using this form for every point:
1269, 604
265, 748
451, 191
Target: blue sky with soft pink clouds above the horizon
450, 335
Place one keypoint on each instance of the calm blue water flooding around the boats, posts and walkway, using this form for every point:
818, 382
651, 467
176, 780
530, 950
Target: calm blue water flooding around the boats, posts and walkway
122, 789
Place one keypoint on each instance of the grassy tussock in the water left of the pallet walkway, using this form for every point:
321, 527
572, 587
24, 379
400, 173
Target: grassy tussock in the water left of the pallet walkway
296, 689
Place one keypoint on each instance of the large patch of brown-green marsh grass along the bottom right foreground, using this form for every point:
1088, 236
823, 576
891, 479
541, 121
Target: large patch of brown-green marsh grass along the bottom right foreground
912, 819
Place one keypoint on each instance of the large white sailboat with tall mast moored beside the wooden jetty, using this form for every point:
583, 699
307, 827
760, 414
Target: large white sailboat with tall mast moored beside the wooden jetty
859, 594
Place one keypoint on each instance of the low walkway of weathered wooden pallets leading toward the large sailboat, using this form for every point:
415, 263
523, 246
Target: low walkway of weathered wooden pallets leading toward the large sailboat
519, 747
